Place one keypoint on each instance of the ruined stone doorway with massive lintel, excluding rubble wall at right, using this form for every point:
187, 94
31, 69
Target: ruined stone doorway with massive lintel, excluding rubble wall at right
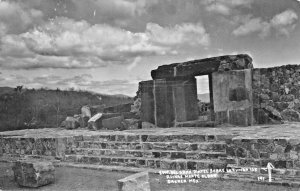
171, 96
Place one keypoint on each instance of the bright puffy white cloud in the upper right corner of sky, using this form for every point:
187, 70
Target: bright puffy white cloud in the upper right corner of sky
282, 23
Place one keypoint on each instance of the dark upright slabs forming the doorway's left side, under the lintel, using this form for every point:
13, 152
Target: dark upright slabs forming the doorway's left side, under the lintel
165, 101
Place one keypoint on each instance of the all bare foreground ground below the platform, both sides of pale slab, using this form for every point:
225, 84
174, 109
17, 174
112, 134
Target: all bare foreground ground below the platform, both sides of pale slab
89, 180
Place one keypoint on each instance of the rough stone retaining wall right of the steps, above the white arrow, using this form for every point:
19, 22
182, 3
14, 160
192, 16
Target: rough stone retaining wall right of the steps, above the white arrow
282, 153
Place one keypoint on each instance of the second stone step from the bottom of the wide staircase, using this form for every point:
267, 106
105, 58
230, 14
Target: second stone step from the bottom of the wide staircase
150, 154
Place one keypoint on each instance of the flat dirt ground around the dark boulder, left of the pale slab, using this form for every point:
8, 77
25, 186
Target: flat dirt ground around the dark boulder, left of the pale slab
67, 179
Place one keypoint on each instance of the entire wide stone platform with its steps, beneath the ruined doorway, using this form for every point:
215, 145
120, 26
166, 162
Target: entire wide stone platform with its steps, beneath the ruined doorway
172, 148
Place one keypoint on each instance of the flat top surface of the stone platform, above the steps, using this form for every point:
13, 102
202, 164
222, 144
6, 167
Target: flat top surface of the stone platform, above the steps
281, 131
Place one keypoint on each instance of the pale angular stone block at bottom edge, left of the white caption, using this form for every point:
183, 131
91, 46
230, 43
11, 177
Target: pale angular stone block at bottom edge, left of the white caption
135, 182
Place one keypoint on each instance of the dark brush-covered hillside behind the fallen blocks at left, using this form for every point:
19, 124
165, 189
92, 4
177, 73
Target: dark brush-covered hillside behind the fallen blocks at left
48, 107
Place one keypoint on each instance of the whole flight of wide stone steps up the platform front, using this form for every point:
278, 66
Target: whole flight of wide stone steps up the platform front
150, 151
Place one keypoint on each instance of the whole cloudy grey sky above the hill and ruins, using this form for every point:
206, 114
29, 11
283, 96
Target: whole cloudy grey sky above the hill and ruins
108, 46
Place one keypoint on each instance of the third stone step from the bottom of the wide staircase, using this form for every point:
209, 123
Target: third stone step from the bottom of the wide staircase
197, 146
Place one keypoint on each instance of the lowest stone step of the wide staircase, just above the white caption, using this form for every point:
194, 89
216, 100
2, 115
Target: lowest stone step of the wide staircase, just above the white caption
144, 162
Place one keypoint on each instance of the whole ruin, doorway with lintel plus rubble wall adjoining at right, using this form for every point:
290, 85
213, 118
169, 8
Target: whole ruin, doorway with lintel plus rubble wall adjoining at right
239, 94
